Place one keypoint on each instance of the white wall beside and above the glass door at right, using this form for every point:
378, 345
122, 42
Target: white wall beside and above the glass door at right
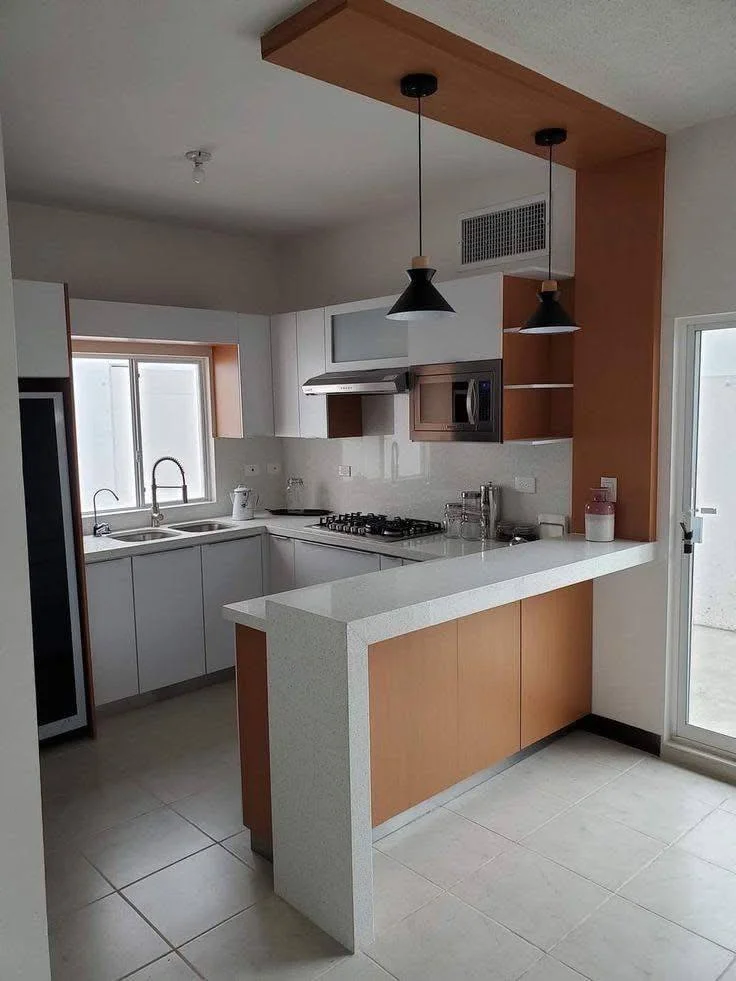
631, 678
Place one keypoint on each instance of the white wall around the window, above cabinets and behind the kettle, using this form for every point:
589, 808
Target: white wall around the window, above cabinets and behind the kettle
103, 257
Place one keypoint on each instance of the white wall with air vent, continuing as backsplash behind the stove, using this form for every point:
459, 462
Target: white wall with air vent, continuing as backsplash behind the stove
367, 259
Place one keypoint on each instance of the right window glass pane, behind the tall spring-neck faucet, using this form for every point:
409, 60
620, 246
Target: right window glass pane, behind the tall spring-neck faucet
171, 425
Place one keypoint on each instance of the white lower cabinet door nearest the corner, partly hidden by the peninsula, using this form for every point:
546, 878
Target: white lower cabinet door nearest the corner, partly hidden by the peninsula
231, 571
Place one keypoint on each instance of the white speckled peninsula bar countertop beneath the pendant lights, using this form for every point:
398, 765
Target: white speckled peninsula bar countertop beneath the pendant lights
396, 601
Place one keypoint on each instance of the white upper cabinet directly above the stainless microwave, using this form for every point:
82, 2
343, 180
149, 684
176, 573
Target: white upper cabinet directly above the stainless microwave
475, 334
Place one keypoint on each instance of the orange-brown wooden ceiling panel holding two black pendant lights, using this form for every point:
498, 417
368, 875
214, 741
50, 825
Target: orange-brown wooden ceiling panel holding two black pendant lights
365, 46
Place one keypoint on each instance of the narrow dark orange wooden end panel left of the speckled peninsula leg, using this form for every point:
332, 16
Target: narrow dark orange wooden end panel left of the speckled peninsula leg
255, 762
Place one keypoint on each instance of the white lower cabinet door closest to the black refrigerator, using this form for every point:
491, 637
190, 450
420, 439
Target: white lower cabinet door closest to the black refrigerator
112, 630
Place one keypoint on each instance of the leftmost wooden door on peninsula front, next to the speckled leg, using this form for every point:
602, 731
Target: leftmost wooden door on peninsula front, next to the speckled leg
413, 718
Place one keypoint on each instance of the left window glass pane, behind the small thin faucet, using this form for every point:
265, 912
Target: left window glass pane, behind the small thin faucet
104, 431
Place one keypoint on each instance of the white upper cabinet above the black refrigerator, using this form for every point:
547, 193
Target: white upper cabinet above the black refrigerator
41, 329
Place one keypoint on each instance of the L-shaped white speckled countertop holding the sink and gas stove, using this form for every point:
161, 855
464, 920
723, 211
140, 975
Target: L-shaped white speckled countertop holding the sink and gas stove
414, 550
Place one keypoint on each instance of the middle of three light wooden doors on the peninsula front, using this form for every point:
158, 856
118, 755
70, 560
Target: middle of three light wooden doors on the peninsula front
489, 695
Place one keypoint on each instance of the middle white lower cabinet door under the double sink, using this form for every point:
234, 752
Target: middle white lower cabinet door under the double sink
168, 617
